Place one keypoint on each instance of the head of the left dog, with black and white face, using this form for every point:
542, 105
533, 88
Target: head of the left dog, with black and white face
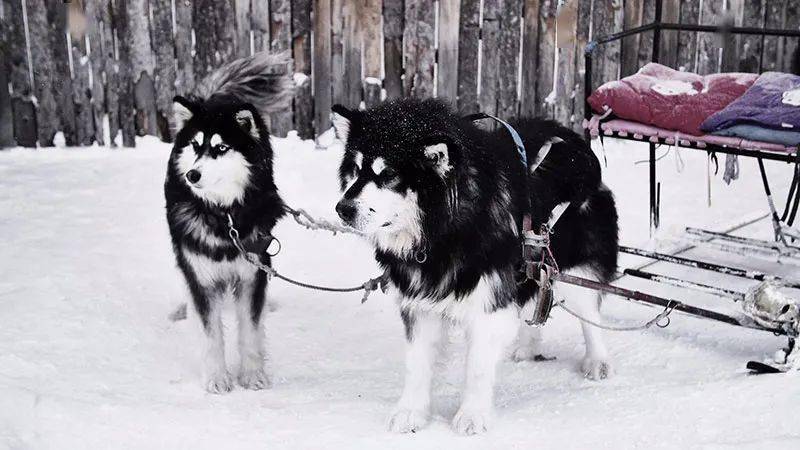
220, 144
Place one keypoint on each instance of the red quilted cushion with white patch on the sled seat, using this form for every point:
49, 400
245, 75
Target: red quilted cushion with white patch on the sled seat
669, 99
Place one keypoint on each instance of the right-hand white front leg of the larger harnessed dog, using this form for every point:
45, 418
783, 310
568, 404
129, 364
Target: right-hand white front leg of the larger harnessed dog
489, 335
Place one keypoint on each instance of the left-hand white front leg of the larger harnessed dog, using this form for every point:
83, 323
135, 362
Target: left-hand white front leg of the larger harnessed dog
423, 334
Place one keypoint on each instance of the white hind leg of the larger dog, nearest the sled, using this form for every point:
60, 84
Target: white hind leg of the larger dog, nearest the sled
596, 364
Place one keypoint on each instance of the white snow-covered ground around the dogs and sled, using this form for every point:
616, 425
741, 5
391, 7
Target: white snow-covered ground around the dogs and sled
88, 358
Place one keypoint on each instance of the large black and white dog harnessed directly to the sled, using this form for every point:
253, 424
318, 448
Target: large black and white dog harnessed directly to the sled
443, 201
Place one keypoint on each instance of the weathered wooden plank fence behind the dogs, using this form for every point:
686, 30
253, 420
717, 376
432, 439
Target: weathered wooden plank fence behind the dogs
114, 69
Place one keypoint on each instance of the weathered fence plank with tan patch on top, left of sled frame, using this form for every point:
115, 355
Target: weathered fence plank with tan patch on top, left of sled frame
565, 74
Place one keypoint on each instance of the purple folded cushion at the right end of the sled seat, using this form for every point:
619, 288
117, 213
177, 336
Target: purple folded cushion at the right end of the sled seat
773, 102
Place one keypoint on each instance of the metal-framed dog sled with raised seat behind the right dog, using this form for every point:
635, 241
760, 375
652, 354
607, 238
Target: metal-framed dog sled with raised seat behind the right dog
772, 304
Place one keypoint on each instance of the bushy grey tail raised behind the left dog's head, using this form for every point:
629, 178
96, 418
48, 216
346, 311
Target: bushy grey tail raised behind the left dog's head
263, 80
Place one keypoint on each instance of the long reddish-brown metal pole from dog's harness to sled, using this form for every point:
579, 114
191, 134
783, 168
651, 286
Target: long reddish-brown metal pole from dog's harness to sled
663, 302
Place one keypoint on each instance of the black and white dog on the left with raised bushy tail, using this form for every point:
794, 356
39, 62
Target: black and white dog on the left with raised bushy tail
221, 164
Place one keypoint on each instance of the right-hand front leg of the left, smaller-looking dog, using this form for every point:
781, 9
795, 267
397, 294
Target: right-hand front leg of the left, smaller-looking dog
250, 297
